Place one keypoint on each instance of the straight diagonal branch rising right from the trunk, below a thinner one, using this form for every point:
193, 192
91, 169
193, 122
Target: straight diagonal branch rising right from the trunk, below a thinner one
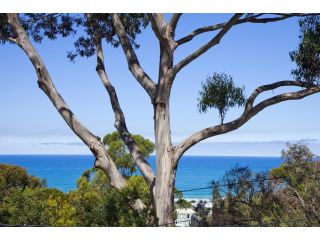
207, 46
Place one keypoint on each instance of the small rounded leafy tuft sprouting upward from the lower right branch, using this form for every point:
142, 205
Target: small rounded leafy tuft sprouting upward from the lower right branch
220, 92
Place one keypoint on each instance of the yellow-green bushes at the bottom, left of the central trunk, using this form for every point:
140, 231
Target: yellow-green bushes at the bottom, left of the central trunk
93, 203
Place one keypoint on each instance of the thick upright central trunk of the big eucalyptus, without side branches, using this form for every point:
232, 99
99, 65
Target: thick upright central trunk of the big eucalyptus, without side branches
166, 173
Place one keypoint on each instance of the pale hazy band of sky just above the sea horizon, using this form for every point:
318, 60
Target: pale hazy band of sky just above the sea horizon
206, 148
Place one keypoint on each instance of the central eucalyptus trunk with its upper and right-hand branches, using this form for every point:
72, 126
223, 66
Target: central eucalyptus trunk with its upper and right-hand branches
167, 155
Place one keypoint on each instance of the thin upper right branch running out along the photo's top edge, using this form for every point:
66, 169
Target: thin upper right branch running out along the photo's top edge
252, 19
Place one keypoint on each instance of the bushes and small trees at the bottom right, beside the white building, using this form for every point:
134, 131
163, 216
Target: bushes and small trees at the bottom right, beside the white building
286, 196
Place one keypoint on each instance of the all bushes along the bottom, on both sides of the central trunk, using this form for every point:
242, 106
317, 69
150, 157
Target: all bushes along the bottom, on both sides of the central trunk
286, 196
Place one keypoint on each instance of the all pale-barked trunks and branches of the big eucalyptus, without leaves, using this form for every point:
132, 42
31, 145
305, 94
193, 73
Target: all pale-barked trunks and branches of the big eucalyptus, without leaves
167, 156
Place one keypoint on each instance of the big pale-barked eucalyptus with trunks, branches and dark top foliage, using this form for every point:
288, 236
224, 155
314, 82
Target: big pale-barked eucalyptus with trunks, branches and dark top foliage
121, 30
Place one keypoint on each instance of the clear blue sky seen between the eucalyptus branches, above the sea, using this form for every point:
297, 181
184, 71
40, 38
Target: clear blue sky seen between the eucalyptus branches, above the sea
254, 54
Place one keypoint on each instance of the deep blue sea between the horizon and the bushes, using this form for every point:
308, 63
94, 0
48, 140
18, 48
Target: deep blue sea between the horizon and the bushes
62, 171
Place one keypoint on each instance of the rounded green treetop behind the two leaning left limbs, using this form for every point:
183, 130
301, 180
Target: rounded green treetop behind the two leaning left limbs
119, 152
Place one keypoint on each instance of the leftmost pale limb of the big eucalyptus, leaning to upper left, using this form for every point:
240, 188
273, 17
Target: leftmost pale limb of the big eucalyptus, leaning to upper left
103, 160
